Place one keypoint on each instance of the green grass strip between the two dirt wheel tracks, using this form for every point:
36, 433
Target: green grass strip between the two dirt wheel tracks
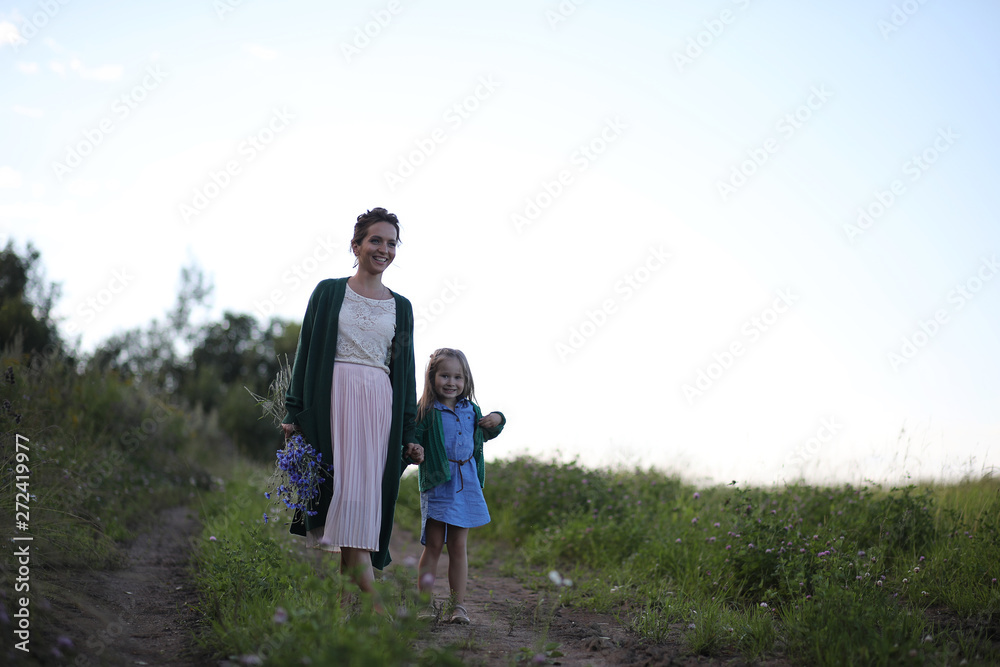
263, 595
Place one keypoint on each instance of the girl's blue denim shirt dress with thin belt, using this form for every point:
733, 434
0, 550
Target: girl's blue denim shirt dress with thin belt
459, 501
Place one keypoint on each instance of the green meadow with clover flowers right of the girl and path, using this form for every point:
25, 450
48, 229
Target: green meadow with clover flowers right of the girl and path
820, 576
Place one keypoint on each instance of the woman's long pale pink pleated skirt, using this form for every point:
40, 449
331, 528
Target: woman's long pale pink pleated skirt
360, 419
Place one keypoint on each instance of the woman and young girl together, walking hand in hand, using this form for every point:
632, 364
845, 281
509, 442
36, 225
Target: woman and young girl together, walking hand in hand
352, 394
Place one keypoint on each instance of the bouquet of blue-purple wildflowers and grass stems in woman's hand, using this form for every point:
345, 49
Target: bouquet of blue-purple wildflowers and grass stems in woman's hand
298, 471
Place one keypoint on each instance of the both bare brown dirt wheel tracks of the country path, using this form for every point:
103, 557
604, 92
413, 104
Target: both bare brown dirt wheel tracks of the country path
141, 614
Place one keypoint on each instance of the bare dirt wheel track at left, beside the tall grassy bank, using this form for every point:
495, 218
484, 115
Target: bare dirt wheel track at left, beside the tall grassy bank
138, 615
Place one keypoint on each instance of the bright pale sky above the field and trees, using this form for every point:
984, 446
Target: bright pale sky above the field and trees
739, 240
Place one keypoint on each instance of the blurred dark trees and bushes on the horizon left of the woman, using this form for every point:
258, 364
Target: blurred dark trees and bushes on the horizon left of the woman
205, 367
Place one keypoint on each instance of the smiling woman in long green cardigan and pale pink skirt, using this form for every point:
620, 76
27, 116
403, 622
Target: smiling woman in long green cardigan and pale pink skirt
352, 394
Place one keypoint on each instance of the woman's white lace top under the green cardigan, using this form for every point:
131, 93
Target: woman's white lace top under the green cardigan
365, 330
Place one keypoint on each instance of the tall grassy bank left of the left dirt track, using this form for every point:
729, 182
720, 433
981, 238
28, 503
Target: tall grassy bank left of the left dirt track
99, 457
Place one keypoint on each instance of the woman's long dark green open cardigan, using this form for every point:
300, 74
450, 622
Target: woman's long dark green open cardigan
307, 400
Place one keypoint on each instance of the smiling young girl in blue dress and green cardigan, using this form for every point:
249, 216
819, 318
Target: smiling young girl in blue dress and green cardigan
451, 429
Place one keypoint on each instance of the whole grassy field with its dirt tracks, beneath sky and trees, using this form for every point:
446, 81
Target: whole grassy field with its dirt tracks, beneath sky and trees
577, 567
